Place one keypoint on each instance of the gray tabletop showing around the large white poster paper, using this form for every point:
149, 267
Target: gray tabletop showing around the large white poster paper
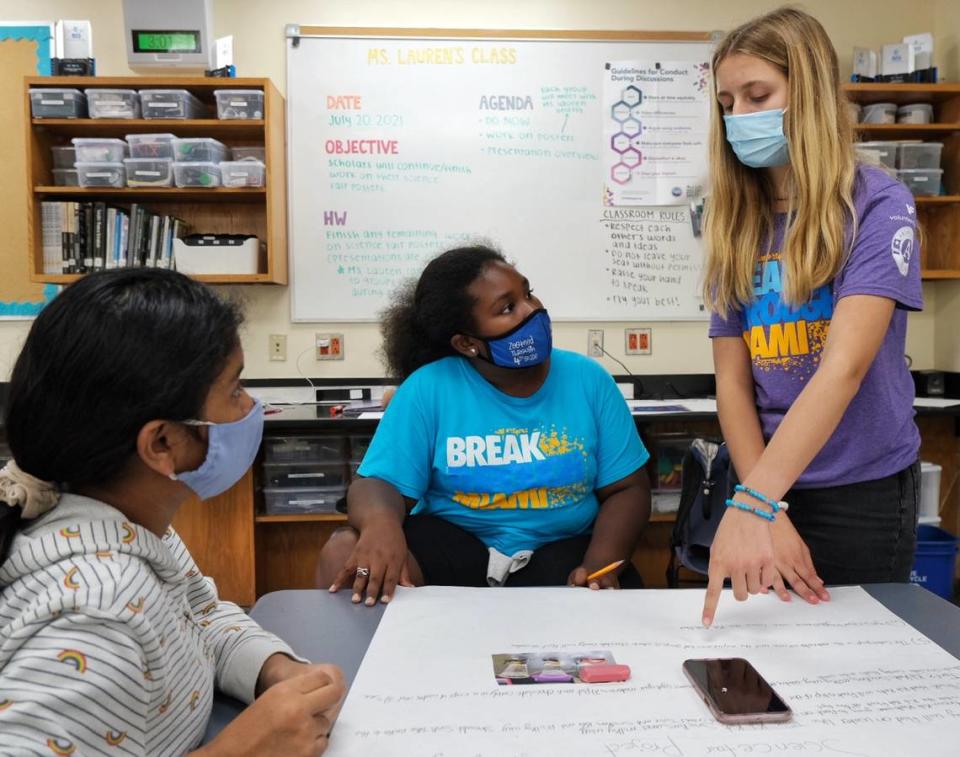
328, 627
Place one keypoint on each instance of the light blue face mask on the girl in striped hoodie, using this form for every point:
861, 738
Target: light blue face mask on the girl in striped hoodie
231, 450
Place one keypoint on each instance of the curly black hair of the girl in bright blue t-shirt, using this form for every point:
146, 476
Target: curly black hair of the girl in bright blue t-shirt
425, 314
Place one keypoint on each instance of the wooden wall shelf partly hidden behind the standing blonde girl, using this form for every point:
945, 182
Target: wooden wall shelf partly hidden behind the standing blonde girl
939, 217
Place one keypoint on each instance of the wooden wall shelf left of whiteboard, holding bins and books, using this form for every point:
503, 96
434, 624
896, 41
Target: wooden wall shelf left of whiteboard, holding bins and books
218, 211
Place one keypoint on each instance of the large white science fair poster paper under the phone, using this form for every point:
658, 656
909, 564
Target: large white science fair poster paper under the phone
860, 680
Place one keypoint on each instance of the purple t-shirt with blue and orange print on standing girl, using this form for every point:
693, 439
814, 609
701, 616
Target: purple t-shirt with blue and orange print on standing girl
877, 435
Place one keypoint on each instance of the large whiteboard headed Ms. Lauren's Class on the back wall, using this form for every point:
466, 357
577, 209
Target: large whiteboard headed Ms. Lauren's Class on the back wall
400, 147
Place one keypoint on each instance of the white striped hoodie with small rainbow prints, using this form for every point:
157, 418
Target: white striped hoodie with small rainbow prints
111, 640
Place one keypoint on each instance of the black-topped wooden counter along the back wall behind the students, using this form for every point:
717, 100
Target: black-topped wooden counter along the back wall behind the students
279, 552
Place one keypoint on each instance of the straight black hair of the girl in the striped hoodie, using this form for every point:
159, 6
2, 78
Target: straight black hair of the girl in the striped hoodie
113, 351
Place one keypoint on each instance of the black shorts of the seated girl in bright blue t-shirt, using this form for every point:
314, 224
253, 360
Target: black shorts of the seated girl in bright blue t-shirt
451, 556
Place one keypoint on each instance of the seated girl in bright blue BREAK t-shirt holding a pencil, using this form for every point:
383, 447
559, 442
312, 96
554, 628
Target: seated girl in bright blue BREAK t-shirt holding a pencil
500, 460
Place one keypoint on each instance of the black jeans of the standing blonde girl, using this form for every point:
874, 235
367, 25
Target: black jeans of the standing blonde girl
860, 533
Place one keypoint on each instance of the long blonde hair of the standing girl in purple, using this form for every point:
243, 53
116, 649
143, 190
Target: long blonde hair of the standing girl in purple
739, 215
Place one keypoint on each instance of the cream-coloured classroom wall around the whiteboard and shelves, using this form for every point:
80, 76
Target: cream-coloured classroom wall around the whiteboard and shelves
257, 27
